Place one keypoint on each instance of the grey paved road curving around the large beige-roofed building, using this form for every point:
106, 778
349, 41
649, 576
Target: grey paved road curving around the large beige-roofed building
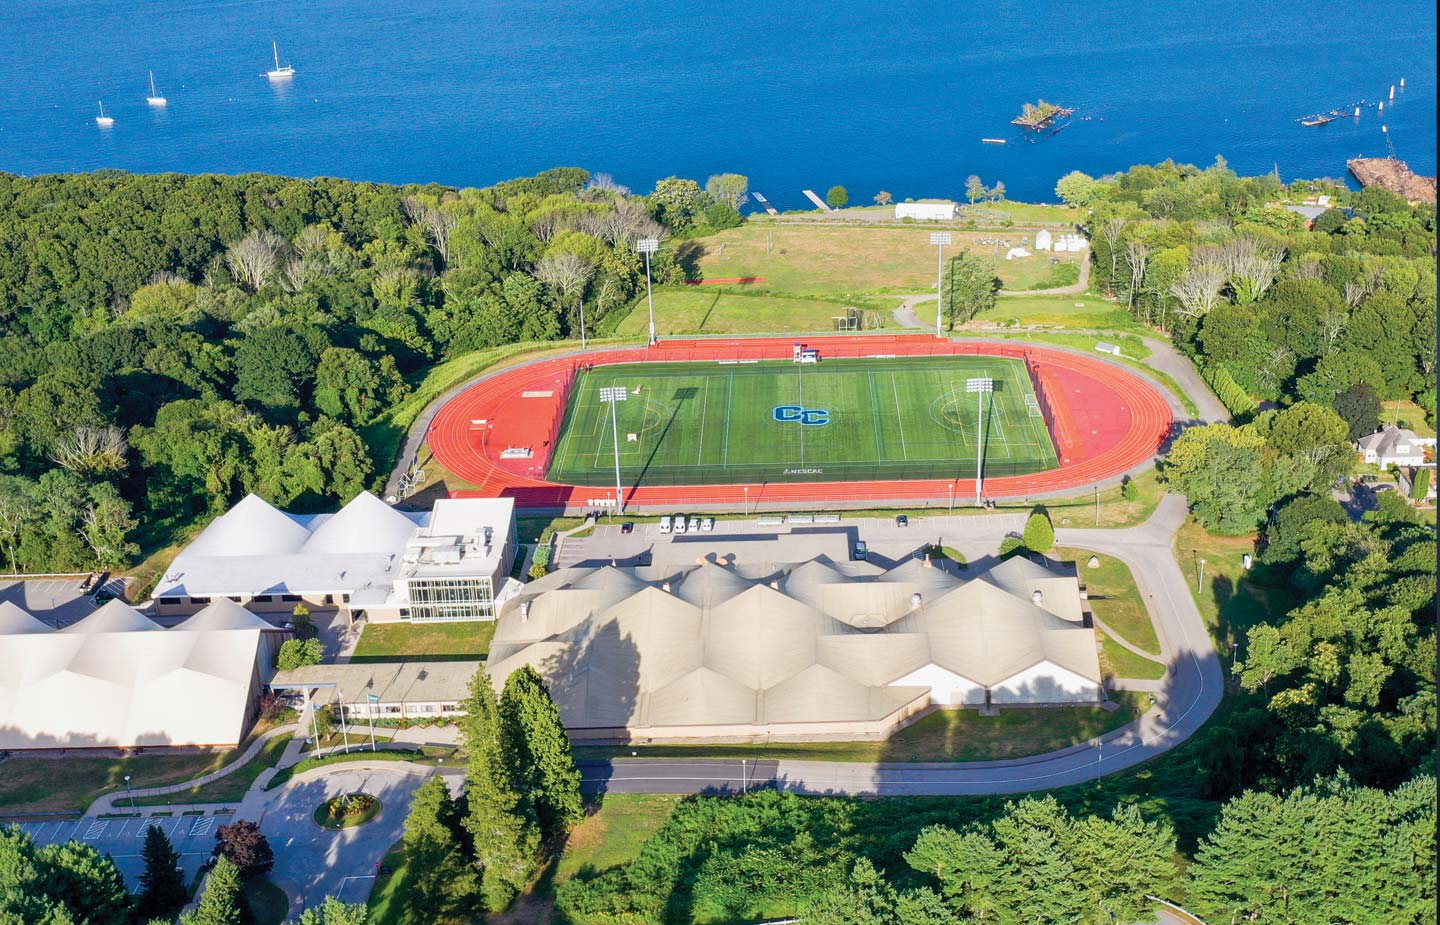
1186, 700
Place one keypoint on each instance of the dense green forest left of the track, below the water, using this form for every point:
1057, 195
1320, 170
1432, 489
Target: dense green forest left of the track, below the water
174, 342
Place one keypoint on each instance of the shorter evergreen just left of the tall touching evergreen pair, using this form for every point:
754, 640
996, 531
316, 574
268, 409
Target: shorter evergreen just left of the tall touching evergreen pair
443, 881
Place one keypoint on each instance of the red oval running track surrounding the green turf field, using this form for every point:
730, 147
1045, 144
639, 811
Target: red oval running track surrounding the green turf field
1107, 423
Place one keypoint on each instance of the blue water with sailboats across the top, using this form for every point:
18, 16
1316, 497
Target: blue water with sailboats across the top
794, 94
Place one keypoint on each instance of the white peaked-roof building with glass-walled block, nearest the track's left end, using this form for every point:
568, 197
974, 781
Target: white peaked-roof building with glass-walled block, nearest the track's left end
366, 560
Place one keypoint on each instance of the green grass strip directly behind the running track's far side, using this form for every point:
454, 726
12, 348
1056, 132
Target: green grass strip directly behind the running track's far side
724, 310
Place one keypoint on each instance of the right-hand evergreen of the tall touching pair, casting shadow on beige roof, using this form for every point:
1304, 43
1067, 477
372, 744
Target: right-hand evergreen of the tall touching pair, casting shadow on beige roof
539, 749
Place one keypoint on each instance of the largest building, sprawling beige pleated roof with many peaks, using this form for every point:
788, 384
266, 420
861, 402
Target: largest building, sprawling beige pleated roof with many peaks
816, 649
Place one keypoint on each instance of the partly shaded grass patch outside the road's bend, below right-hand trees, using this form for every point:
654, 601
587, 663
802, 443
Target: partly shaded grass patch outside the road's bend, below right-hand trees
1229, 600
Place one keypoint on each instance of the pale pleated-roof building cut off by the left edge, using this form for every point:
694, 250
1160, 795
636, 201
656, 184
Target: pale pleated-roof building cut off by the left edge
117, 679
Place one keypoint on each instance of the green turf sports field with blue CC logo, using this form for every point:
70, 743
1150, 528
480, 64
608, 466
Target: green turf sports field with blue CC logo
744, 423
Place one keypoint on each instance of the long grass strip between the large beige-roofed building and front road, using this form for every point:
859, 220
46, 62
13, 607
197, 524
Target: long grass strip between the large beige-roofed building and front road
944, 736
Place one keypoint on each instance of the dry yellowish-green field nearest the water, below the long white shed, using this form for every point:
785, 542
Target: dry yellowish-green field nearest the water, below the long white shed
810, 260
